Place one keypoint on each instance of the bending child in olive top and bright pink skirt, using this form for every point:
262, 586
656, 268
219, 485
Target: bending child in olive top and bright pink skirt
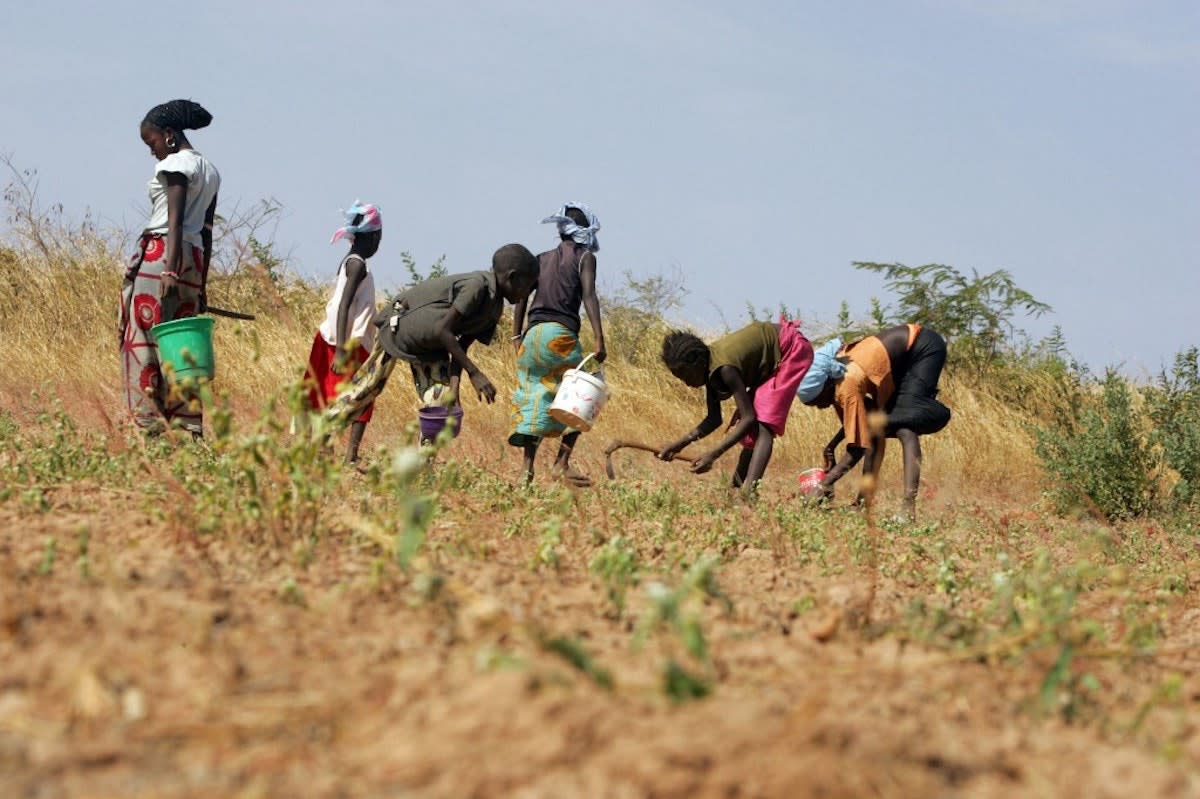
760, 367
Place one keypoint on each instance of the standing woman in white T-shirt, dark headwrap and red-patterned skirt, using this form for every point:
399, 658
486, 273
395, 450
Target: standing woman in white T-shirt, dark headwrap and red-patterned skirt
167, 277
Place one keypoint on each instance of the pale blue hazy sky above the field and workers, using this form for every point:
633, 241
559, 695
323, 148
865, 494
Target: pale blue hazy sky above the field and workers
759, 147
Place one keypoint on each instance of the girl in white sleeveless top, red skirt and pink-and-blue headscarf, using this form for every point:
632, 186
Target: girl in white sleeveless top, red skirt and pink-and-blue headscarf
347, 334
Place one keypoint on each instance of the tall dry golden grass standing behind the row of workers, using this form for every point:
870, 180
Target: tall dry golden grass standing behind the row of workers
59, 317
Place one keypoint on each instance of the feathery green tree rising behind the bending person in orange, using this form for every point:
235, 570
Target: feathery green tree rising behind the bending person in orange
975, 313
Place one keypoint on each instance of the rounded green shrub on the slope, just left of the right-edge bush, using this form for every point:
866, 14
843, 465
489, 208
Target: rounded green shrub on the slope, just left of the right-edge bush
1102, 459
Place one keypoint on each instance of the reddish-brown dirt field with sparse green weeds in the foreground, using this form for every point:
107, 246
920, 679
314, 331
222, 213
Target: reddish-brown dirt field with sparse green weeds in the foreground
142, 659
